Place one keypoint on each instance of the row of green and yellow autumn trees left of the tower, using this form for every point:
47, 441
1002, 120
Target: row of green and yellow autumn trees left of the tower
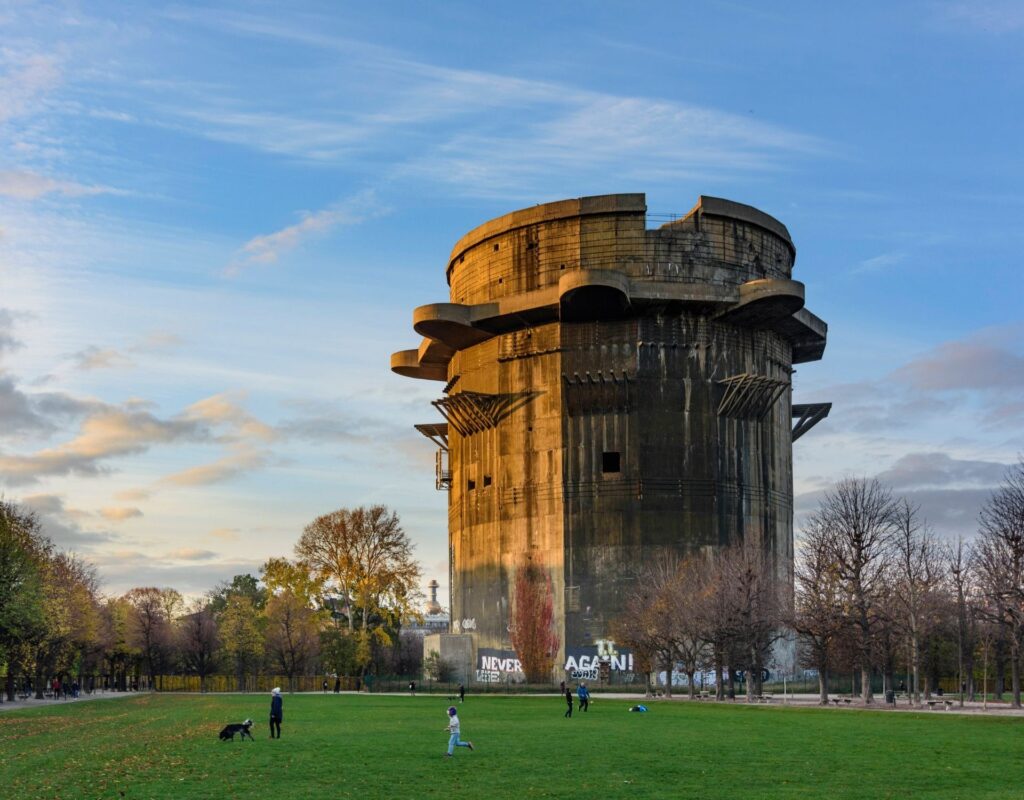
336, 608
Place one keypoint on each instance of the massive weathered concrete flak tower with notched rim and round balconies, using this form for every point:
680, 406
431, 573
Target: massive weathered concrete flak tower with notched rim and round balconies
611, 393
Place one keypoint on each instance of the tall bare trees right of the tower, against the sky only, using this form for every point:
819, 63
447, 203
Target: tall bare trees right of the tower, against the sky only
876, 590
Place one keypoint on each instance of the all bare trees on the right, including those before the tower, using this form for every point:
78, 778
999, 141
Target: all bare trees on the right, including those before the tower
875, 592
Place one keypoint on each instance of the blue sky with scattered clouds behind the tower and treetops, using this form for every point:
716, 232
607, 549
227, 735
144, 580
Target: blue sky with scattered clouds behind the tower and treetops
217, 221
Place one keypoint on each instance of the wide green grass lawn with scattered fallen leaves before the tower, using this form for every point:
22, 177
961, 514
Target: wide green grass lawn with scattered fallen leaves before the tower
392, 747
